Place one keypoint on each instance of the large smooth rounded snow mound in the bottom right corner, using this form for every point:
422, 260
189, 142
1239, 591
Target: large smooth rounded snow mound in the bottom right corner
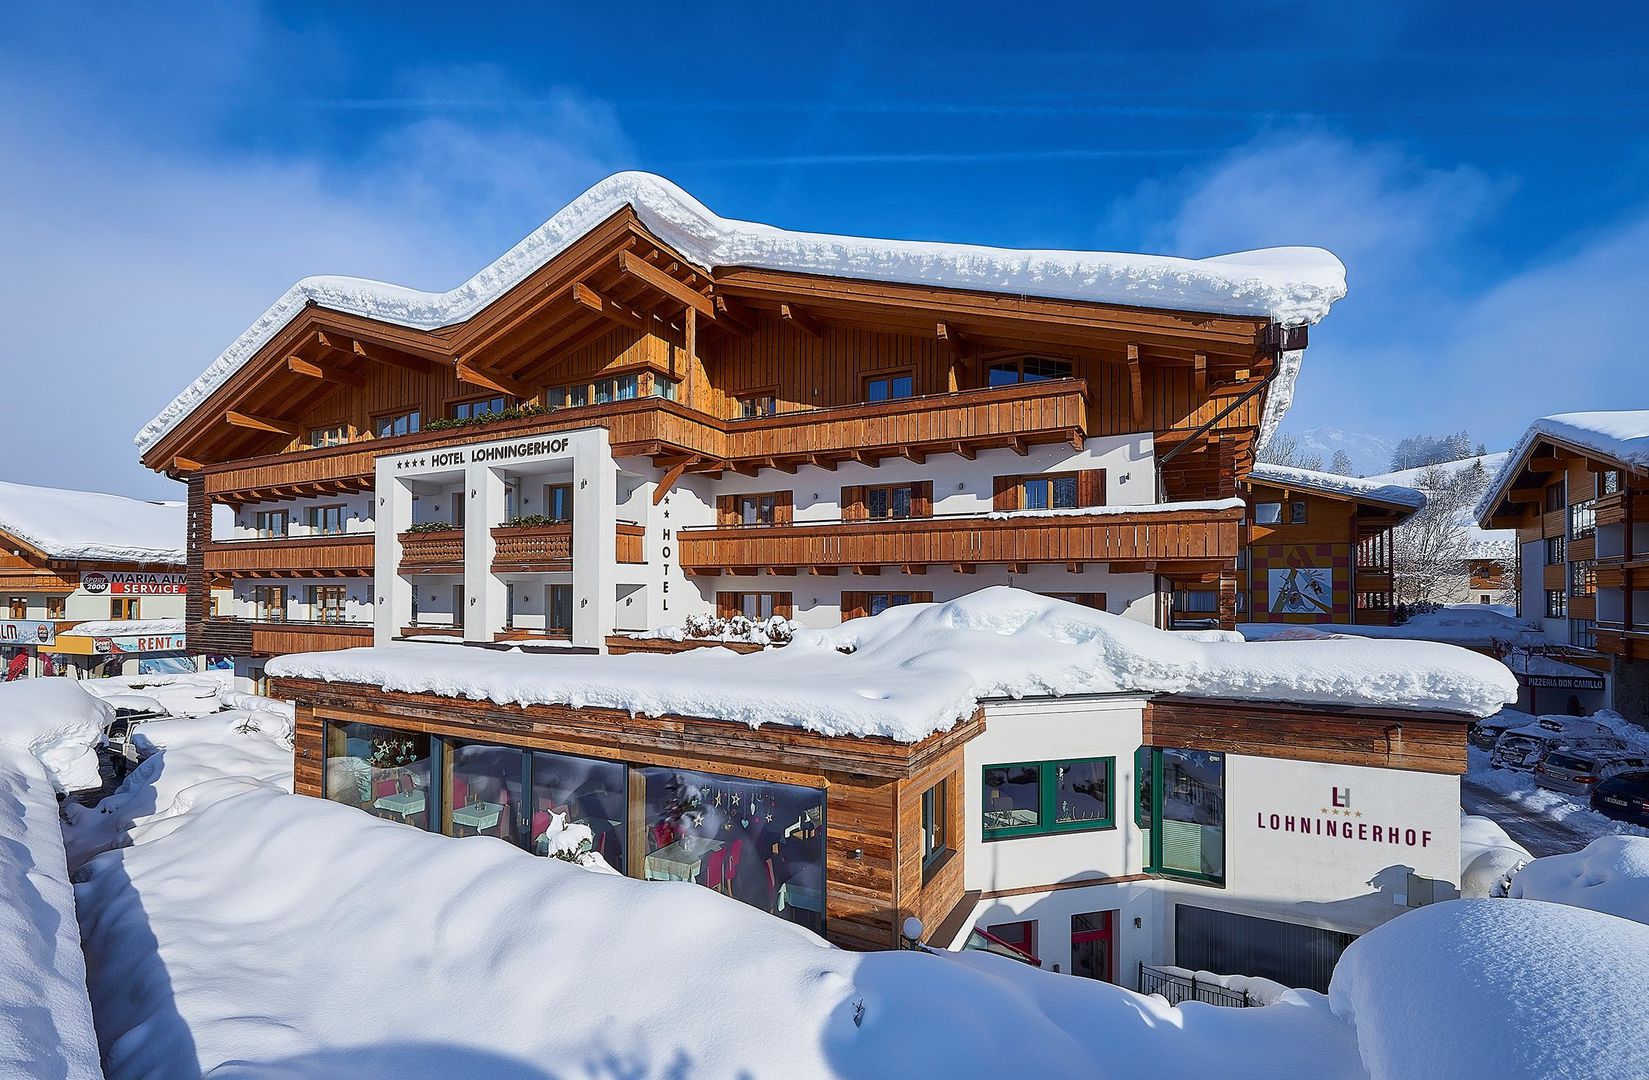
1487, 990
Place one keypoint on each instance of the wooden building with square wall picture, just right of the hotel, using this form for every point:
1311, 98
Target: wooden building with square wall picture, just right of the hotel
1318, 547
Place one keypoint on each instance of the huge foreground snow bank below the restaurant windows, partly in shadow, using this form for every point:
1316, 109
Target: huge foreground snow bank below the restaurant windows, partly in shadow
306, 939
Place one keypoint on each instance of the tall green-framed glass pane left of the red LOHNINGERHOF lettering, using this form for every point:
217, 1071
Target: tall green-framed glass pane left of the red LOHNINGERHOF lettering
1190, 814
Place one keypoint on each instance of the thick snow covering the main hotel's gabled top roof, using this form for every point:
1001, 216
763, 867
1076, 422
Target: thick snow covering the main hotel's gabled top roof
1292, 286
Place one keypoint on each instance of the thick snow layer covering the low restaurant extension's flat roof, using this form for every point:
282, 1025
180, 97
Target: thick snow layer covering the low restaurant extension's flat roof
921, 669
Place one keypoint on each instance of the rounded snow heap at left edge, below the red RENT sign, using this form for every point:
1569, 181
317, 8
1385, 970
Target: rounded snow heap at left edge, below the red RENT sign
60, 725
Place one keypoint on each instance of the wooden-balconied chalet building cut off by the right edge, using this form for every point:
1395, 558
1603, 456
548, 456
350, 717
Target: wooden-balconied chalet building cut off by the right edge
1577, 492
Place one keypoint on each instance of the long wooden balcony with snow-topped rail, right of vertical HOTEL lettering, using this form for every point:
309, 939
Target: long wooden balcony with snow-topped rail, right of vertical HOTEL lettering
1183, 540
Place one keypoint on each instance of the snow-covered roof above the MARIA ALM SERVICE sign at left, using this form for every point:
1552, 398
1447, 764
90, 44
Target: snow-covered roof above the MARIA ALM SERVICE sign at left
88, 525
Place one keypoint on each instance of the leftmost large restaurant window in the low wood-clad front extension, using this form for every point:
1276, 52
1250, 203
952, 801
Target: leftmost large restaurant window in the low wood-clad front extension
382, 771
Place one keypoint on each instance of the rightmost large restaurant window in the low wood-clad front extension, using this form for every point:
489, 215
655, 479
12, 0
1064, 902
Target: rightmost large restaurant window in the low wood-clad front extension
756, 842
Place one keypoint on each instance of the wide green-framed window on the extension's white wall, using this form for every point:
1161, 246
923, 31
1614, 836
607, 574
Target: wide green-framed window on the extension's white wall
1036, 799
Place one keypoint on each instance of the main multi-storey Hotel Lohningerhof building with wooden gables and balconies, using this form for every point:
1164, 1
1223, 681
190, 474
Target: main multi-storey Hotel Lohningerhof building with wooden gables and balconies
621, 436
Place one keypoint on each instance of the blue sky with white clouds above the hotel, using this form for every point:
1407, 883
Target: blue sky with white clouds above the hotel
167, 172
